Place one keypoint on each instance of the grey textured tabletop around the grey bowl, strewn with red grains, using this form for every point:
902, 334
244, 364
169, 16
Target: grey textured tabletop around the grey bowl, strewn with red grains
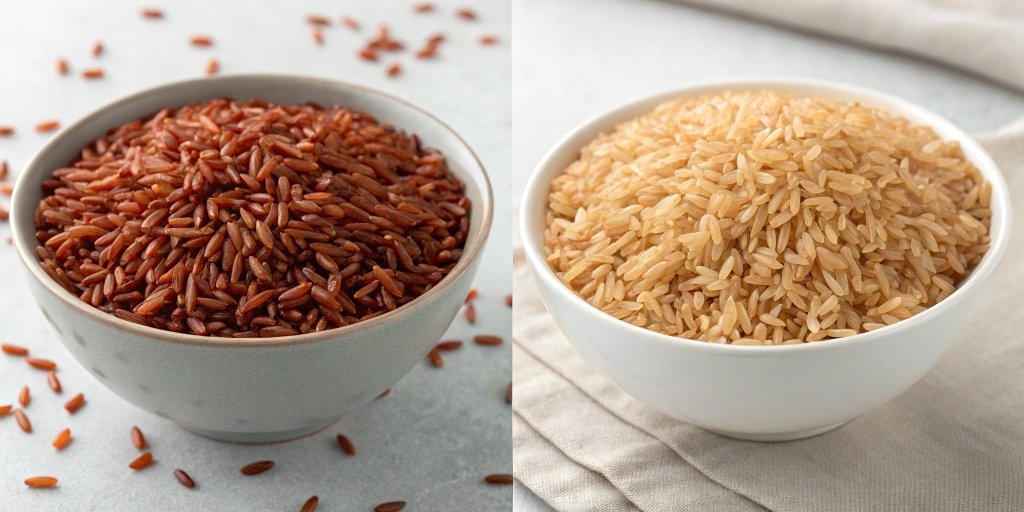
430, 443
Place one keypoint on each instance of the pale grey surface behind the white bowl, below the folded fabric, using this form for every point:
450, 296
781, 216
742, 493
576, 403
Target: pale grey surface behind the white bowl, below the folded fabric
574, 60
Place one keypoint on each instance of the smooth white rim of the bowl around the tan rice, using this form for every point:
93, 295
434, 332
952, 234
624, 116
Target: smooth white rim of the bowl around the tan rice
536, 194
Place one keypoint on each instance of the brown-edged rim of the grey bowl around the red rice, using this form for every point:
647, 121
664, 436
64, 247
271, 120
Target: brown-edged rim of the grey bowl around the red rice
472, 252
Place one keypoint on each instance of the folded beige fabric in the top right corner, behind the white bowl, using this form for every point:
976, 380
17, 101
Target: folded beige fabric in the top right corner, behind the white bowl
986, 37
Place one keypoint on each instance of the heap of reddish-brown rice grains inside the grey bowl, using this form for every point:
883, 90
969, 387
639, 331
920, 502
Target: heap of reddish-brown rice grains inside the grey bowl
361, 218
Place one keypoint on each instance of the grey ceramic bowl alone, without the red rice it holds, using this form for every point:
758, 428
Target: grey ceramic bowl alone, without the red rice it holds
253, 390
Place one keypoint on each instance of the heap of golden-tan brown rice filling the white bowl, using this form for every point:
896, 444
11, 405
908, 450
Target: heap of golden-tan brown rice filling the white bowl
763, 220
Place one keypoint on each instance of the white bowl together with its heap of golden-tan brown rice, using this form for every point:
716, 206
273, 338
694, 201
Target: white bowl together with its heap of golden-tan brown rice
767, 260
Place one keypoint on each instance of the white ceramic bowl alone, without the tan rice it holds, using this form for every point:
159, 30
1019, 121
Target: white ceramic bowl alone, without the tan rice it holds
751, 393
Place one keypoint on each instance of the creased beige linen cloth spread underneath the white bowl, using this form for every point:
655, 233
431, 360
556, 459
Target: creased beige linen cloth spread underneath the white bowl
954, 442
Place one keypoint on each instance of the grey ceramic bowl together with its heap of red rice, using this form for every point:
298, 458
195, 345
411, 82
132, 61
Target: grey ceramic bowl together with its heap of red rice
252, 257
